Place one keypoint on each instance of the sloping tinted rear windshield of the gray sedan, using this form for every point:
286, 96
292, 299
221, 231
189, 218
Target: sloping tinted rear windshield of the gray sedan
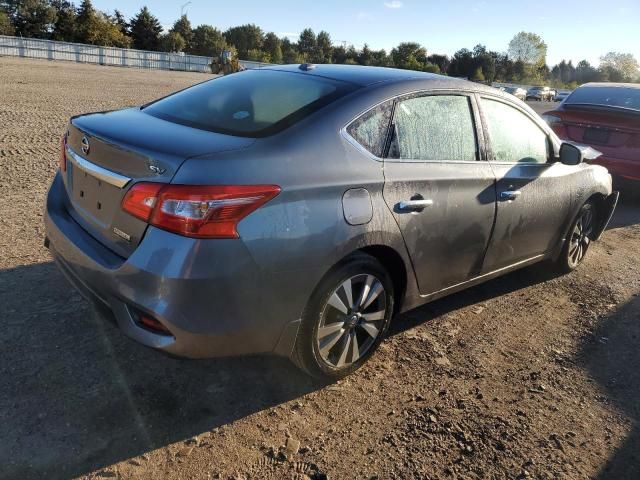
253, 103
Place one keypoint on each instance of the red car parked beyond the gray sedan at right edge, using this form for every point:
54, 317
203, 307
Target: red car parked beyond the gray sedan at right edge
605, 116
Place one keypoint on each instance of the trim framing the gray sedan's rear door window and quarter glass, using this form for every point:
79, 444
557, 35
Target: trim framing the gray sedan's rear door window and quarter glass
481, 152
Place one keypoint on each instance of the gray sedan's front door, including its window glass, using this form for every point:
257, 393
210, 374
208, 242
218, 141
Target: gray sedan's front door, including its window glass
534, 192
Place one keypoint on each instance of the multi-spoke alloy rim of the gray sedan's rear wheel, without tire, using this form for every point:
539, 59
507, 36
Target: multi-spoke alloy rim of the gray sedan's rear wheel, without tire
352, 320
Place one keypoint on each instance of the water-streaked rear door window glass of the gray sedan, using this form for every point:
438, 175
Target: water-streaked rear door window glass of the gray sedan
436, 128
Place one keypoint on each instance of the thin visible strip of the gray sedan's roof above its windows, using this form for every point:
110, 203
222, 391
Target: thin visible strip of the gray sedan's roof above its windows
365, 76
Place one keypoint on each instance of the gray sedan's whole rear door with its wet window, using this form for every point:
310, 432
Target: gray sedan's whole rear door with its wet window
441, 193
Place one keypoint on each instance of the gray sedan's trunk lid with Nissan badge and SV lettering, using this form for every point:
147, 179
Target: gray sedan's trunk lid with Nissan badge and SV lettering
109, 152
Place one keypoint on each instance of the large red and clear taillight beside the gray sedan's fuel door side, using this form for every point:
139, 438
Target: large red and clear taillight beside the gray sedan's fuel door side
194, 210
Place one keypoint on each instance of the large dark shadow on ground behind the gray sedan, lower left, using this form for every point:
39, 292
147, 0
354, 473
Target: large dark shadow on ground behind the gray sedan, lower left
77, 395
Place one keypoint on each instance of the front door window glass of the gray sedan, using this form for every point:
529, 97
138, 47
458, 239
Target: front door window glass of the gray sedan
514, 137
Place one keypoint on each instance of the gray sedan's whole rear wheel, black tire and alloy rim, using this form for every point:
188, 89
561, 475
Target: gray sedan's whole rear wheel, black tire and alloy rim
337, 313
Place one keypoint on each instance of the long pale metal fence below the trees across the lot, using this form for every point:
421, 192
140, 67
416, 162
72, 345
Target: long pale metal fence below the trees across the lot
118, 57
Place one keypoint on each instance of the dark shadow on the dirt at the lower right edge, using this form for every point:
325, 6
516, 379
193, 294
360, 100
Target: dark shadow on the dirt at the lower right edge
612, 358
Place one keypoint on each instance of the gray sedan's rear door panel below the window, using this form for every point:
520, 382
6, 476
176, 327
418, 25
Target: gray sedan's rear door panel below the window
448, 239
